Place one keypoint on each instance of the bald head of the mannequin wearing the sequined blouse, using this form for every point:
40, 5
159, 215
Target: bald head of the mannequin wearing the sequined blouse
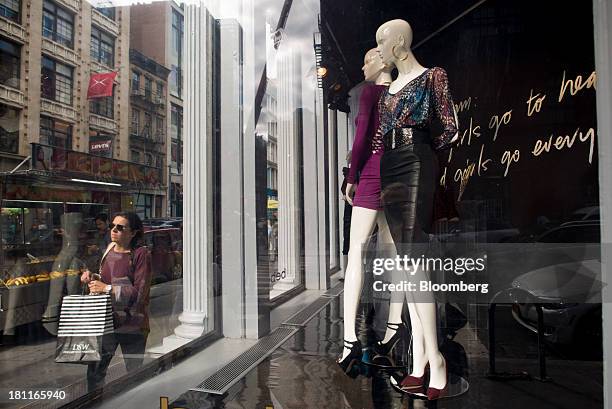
394, 39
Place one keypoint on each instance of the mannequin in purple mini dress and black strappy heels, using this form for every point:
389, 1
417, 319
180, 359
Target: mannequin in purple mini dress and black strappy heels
367, 211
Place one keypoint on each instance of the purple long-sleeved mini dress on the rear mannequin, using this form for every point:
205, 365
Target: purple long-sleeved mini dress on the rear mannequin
367, 150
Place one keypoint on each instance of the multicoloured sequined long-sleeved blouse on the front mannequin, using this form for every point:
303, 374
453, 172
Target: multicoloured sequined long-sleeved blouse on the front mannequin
417, 104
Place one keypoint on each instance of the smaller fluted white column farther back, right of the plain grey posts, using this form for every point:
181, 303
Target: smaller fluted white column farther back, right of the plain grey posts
289, 132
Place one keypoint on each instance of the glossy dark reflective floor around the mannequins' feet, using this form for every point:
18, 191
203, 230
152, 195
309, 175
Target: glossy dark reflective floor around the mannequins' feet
302, 373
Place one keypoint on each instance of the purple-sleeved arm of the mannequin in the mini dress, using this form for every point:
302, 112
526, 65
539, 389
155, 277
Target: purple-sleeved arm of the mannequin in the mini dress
367, 103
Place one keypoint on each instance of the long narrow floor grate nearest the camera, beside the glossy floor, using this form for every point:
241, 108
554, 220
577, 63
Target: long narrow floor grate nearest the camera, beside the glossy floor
226, 377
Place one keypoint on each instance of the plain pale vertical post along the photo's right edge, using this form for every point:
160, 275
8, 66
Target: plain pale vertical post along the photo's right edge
602, 12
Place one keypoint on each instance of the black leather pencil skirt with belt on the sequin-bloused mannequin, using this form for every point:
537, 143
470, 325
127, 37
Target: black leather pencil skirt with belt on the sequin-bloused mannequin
409, 175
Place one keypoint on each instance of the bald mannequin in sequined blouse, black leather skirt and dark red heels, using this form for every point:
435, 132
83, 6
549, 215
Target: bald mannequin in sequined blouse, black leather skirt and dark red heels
408, 179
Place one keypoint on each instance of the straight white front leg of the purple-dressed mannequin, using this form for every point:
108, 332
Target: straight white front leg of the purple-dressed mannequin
362, 225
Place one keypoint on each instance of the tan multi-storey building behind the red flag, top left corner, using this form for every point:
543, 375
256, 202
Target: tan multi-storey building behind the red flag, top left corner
49, 50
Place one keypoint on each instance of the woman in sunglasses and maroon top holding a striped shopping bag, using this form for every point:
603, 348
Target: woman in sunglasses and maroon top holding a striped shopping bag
125, 273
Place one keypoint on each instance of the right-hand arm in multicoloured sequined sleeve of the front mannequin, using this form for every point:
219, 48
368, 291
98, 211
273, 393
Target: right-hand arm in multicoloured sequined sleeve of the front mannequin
445, 111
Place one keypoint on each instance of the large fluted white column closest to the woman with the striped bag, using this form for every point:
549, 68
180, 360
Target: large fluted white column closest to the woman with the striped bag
197, 231
